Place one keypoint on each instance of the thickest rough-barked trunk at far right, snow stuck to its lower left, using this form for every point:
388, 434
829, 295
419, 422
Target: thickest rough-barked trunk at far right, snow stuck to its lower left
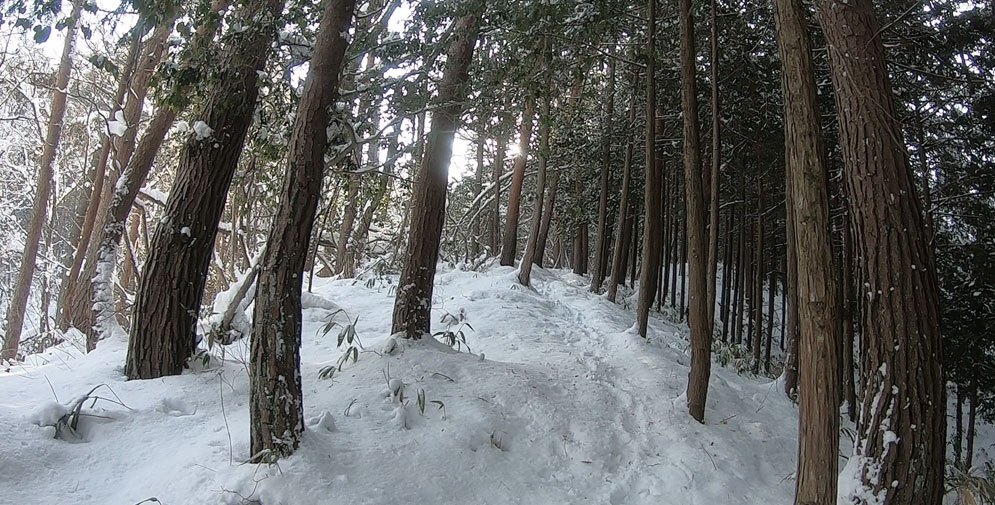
904, 391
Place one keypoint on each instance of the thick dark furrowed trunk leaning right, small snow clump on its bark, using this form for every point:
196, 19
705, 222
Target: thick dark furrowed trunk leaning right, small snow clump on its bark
163, 329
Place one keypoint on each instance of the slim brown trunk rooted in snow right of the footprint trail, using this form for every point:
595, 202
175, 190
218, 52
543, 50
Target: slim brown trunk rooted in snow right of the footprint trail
697, 241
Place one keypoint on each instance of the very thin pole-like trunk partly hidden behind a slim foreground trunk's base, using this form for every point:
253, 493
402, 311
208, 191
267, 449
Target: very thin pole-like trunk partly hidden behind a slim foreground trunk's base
713, 213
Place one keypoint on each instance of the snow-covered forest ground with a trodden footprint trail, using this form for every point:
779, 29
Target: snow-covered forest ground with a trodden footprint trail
559, 401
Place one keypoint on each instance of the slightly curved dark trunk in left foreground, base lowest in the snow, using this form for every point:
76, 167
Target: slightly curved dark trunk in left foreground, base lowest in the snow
276, 407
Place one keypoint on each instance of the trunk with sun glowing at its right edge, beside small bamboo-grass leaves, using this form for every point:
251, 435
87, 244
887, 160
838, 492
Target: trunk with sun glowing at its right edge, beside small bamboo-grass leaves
413, 304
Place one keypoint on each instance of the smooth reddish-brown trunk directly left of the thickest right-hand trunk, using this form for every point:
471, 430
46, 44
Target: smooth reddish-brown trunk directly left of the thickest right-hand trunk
818, 424
